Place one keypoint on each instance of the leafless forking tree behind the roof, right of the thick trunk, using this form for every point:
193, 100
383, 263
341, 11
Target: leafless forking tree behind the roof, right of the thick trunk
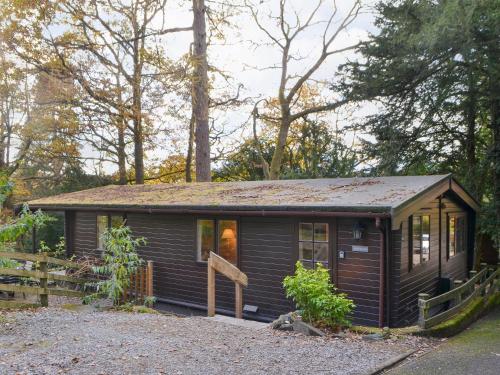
290, 25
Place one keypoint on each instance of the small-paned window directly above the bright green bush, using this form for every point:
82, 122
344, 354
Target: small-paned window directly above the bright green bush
313, 244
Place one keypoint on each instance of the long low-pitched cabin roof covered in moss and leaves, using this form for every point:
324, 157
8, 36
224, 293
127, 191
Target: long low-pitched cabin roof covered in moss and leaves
343, 194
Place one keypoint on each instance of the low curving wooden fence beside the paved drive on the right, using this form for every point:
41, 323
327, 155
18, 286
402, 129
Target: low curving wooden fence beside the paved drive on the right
482, 283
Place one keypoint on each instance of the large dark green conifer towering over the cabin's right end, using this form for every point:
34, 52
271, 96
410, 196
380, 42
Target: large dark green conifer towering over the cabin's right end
433, 69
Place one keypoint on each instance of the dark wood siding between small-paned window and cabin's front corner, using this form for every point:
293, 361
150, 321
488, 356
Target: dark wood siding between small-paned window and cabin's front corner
359, 273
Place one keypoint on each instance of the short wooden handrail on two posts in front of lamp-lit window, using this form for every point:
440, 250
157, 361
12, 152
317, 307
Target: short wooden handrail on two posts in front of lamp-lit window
219, 264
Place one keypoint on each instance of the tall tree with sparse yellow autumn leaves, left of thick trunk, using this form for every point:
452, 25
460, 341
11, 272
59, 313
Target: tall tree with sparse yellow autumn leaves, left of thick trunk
119, 38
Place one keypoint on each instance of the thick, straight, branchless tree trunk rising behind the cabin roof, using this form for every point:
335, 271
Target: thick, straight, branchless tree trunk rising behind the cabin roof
200, 92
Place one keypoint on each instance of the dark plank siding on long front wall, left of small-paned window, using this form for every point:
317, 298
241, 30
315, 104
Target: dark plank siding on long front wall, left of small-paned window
266, 254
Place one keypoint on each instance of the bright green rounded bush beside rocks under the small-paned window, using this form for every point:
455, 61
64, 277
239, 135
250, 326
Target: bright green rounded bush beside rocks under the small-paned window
316, 296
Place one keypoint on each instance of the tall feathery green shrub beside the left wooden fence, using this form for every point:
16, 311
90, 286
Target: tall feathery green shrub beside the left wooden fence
119, 262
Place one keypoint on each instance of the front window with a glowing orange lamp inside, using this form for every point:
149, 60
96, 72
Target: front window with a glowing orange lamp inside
225, 244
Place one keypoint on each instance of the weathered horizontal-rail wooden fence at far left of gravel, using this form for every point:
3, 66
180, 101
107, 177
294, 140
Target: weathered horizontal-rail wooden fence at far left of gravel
41, 276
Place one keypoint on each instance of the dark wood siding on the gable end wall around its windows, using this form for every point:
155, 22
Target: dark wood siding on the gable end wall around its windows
423, 278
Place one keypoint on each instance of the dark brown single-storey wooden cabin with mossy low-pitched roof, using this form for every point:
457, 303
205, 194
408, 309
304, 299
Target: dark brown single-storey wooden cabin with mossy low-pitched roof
385, 240
